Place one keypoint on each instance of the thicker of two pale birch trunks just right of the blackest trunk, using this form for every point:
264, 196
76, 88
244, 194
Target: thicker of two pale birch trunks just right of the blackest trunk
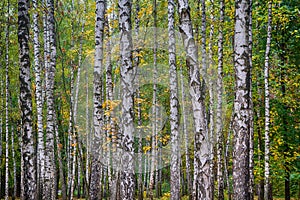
49, 192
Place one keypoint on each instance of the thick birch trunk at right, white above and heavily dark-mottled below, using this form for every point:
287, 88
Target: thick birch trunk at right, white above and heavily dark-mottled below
242, 101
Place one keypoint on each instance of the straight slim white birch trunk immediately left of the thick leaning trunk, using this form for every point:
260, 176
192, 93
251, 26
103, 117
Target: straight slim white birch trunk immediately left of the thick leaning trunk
174, 110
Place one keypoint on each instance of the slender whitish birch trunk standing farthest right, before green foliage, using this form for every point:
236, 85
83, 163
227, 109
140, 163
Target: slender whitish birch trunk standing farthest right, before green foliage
267, 187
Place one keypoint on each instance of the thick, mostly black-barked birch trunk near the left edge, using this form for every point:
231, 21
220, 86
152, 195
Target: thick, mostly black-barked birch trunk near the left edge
28, 154
